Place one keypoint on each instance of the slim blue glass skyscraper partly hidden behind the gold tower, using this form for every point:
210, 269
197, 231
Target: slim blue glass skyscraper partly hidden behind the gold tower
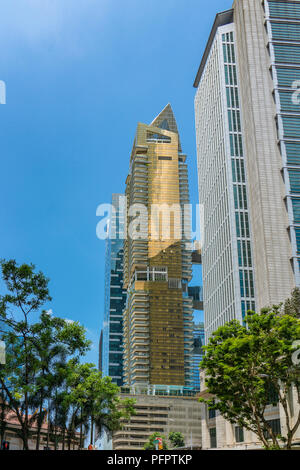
111, 338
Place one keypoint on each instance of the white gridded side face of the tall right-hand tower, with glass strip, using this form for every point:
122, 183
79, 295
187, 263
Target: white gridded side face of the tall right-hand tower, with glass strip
228, 274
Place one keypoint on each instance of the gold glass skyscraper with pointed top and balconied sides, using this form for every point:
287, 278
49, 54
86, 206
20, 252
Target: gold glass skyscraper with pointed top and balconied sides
158, 336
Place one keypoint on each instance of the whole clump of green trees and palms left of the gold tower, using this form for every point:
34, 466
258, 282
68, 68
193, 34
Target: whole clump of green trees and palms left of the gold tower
43, 378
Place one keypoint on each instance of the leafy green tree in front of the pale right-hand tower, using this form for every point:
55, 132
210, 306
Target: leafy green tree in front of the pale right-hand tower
243, 364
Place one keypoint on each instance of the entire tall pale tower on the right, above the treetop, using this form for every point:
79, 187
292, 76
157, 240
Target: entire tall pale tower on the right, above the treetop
248, 141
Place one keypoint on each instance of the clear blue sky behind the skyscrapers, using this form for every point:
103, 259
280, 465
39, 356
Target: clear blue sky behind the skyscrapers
80, 75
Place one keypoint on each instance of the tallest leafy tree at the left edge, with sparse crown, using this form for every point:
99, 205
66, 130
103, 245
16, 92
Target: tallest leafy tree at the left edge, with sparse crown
32, 348
